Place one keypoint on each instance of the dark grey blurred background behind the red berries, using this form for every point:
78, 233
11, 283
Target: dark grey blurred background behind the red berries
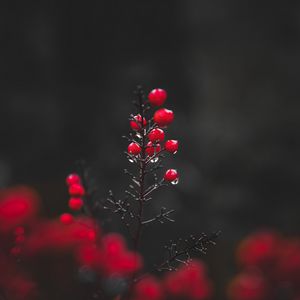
232, 70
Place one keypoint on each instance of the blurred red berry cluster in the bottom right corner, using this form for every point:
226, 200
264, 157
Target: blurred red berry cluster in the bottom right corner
270, 268
